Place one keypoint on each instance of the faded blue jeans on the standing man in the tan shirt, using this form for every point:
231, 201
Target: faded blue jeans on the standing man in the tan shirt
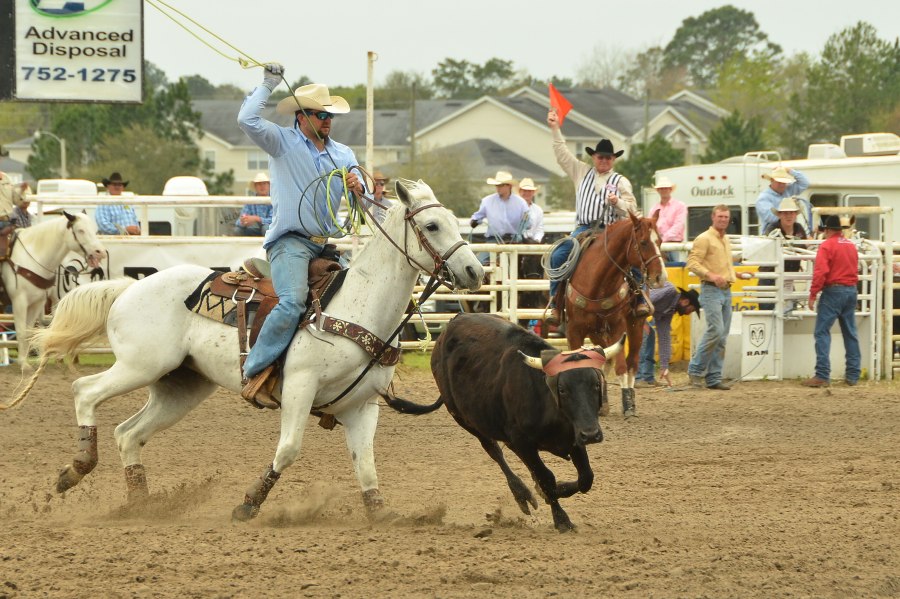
710, 354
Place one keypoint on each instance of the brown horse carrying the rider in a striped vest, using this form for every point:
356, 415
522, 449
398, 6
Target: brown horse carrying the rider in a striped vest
599, 299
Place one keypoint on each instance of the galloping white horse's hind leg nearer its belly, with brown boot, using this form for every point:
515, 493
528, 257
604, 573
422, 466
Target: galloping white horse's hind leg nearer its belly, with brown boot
171, 398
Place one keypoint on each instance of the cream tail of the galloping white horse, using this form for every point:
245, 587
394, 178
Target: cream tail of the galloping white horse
79, 318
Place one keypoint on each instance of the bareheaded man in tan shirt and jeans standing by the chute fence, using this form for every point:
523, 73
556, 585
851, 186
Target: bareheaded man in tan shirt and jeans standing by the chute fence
710, 259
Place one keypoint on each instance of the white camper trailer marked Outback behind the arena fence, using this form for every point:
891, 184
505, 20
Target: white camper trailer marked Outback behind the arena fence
864, 170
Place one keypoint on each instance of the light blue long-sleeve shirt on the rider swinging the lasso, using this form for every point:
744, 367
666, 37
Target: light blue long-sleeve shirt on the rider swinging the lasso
299, 201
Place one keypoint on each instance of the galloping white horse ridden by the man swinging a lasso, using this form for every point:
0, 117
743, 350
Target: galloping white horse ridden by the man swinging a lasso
182, 357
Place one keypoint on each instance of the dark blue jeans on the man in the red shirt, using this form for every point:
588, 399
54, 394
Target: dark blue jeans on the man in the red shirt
837, 303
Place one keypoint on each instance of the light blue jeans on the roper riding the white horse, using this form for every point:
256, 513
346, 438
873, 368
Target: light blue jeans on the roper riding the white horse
289, 256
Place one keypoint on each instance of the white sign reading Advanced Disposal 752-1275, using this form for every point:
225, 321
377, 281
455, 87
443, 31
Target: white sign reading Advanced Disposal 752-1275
79, 50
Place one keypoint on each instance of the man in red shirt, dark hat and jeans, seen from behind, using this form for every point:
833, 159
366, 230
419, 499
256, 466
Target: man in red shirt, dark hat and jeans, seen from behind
835, 276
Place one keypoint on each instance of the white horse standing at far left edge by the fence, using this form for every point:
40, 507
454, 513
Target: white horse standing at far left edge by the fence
30, 273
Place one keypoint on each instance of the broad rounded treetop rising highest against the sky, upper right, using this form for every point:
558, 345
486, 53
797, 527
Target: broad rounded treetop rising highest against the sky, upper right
701, 44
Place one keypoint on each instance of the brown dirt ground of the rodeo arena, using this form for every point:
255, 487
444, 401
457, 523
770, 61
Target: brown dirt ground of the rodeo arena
769, 490
